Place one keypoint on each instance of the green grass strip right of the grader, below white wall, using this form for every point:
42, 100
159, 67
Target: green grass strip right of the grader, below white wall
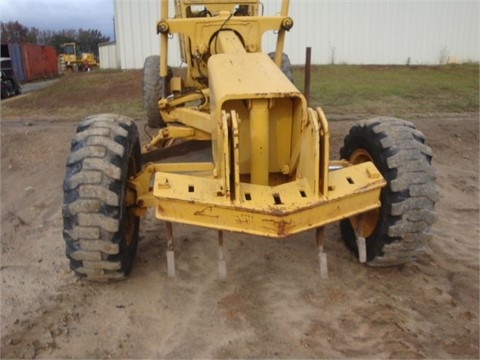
393, 90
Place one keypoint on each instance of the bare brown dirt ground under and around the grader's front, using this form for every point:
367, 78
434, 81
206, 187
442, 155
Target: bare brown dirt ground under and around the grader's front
273, 303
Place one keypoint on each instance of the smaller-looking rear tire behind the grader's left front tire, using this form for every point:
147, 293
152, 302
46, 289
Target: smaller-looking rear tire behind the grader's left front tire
152, 90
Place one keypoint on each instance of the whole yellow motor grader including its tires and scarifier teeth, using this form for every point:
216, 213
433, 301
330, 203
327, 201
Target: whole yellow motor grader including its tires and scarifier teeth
269, 173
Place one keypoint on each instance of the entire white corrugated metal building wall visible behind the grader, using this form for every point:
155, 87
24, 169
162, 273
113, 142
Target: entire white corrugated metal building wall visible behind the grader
338, 31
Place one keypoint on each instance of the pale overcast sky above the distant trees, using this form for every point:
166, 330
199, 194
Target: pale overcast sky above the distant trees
58, 15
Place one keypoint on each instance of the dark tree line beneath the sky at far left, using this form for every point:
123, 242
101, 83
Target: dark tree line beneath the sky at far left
88, 40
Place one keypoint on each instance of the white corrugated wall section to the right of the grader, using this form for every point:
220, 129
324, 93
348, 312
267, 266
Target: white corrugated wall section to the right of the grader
384, 32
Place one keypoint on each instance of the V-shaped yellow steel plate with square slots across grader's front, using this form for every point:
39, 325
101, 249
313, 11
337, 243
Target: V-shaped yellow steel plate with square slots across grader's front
276, 211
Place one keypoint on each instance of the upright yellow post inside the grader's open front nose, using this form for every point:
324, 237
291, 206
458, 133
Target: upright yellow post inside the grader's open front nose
259, 140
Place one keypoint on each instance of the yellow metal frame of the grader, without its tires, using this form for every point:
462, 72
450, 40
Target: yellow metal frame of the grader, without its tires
270, 173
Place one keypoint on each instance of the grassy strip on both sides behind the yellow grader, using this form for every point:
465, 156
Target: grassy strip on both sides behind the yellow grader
338, 89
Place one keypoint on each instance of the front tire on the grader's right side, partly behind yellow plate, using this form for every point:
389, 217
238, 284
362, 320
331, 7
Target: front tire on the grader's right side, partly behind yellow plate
407, 212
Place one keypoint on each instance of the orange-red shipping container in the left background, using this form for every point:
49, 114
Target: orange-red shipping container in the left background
39, 62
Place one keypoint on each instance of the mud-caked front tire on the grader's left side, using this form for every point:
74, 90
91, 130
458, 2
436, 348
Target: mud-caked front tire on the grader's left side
100, 234
